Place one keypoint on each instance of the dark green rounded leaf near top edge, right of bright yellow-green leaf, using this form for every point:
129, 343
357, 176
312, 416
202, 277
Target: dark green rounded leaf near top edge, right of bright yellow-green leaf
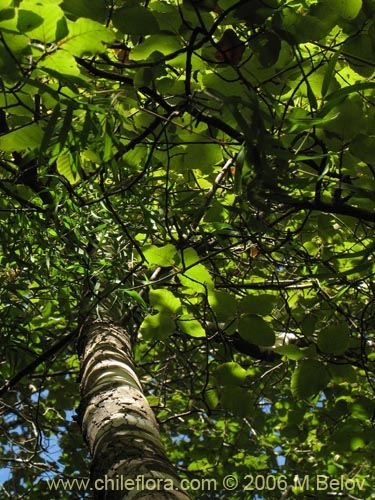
135, 21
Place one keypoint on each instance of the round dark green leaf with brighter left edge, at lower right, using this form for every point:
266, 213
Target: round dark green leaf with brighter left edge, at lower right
308, 379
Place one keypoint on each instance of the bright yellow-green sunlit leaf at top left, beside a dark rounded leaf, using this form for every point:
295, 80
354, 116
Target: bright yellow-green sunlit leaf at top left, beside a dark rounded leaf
86, 38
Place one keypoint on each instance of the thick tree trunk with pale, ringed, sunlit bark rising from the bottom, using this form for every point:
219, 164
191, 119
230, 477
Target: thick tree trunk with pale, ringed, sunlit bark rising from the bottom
128, 458
